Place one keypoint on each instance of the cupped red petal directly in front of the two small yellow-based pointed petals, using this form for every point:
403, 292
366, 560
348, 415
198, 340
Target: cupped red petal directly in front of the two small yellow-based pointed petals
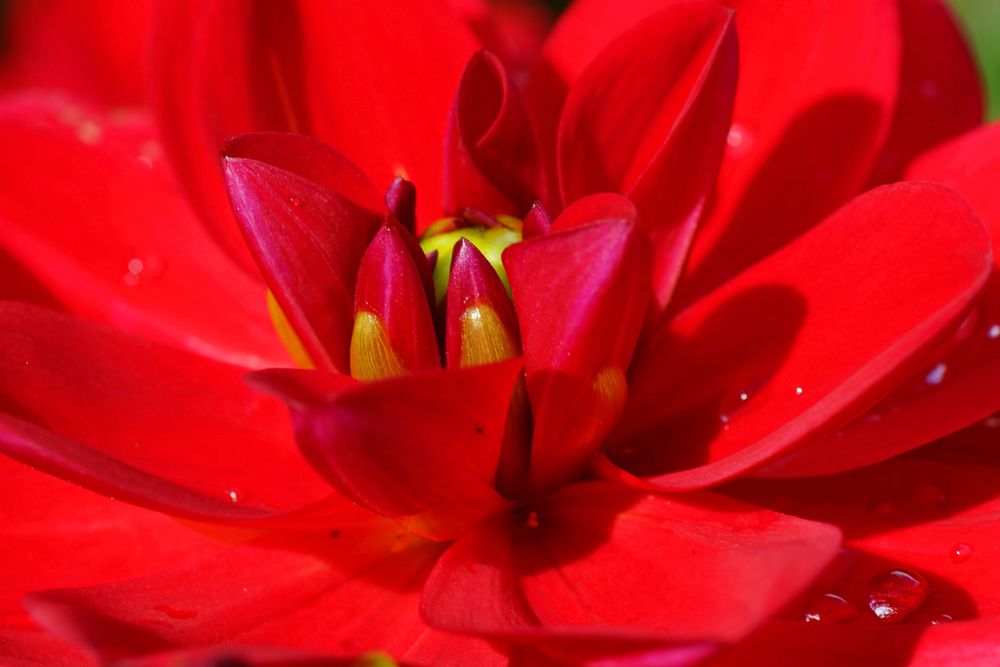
424, 447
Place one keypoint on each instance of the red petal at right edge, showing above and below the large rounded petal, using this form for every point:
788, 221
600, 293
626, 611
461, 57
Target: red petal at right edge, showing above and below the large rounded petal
962, 382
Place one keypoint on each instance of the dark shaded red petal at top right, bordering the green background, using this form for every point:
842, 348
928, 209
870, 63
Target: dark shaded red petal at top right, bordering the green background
939, 89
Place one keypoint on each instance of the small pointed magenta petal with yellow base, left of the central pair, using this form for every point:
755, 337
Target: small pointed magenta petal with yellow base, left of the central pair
393, 330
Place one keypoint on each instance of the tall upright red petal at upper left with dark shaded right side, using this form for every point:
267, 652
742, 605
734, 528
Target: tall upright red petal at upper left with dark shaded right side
219, 69
